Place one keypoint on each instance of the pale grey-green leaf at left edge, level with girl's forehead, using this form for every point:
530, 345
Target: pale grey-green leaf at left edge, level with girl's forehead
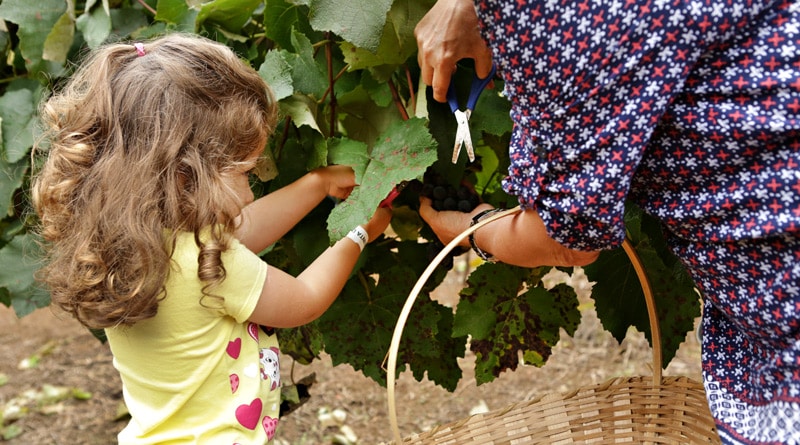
18, 109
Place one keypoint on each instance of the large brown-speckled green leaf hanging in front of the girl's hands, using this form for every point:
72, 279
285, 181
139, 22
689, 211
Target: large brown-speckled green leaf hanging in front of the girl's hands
401, 153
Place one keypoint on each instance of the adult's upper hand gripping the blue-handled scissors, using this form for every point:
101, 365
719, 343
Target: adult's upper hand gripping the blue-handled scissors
448, 33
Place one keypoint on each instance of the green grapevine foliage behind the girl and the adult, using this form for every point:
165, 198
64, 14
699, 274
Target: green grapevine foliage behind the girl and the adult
346, 76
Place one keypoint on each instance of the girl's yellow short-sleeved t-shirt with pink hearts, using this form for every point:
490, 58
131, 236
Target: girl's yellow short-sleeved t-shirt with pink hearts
201, 373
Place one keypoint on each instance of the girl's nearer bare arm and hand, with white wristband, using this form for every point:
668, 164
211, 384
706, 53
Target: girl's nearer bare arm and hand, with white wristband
287, 301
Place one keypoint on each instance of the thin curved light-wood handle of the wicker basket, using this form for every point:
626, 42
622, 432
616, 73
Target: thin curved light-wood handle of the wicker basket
391, 367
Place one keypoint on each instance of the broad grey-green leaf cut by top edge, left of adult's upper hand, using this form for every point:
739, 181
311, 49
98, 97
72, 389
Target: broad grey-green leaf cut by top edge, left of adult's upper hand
360, 23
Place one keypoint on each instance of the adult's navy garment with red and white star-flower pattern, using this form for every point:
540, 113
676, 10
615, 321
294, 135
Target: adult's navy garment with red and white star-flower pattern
691, 109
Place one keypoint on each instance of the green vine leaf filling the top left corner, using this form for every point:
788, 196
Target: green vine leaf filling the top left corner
35, 20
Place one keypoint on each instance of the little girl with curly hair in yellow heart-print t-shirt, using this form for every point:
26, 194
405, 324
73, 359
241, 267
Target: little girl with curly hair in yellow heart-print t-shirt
151, 232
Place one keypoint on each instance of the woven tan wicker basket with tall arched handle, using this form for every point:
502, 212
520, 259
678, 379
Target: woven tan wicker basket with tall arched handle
642, 409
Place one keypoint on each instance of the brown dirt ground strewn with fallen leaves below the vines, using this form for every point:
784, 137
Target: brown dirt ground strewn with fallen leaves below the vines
57, 384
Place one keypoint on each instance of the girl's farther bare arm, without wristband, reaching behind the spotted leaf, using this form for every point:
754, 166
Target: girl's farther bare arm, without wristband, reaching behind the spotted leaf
267, 219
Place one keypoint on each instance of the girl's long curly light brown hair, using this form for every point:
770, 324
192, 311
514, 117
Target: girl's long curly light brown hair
139, 143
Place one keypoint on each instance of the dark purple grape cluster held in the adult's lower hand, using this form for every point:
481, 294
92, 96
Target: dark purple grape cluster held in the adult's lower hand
445, 196
